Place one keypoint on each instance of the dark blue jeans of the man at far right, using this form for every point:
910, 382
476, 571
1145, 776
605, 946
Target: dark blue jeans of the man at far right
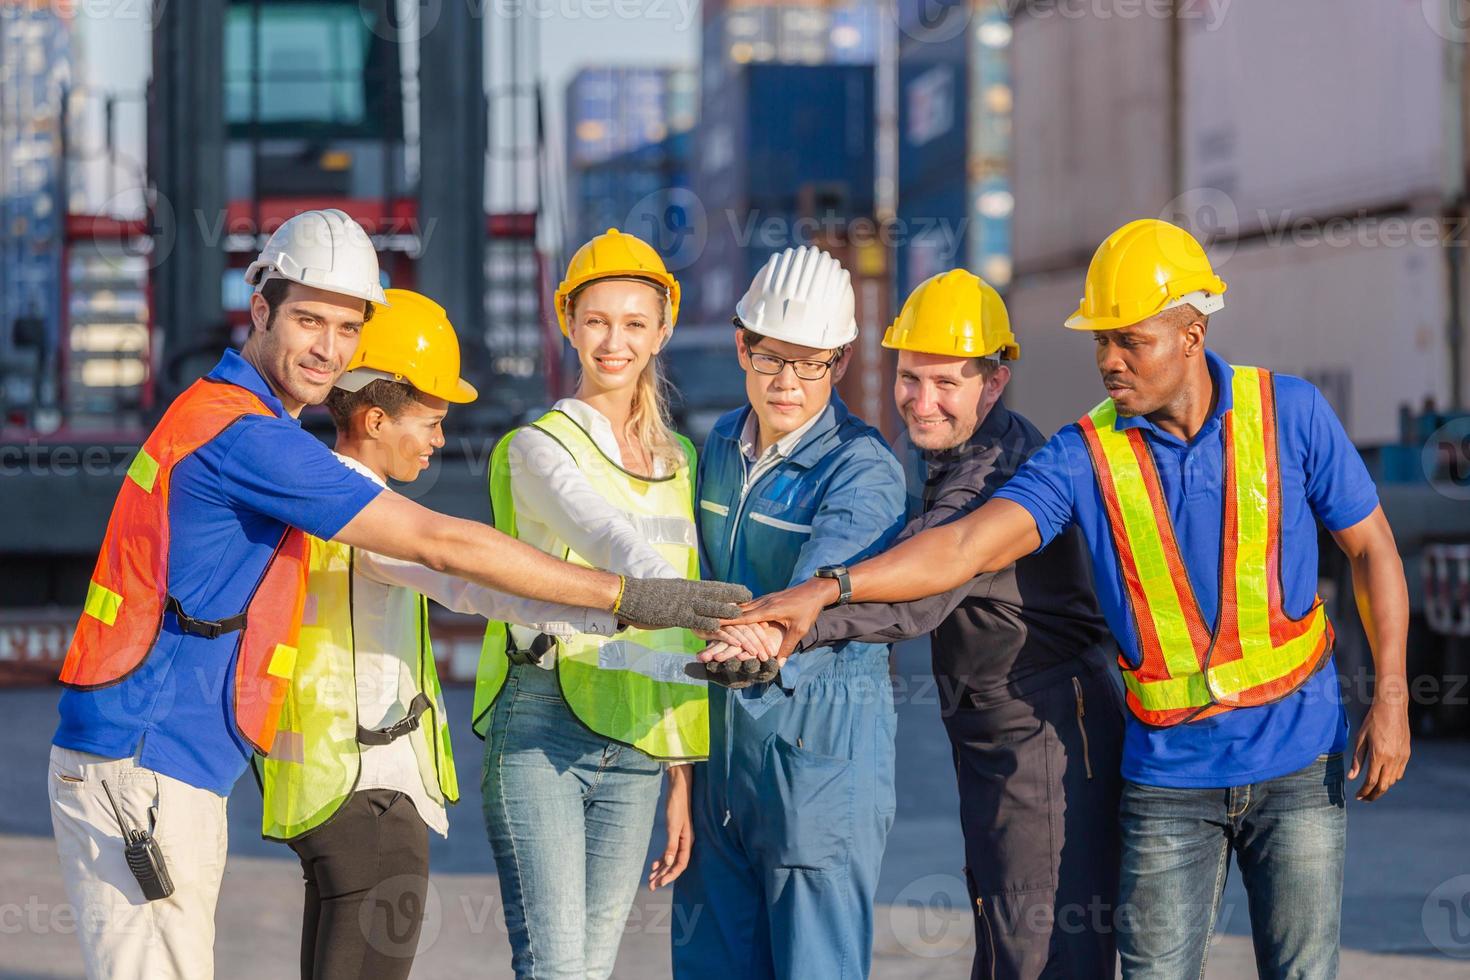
1288, 837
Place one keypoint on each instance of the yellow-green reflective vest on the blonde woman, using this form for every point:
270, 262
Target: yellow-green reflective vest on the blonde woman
630, 688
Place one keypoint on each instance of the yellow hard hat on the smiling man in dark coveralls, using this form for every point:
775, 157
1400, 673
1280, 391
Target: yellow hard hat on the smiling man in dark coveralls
958, 315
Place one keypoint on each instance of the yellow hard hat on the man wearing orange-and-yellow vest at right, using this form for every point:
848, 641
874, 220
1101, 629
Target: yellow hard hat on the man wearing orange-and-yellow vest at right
1141, 270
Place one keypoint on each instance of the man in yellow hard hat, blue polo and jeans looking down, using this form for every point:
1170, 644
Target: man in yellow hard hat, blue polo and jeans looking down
1199, 487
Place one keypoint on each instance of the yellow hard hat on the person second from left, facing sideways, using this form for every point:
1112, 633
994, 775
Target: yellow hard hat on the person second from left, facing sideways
409, 342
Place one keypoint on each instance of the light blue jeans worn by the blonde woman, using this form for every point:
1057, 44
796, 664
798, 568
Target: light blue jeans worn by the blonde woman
570, 815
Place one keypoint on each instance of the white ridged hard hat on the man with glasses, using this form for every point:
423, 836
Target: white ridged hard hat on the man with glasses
802, 296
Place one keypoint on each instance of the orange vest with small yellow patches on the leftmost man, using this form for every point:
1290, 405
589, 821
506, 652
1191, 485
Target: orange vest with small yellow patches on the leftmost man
130, 593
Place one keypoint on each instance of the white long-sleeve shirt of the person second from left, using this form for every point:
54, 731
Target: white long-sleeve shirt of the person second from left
386, 610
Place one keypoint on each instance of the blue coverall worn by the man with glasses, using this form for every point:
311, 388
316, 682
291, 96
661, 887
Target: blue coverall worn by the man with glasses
793, 810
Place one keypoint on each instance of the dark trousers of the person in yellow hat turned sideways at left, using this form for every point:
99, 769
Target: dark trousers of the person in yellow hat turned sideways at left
367, 878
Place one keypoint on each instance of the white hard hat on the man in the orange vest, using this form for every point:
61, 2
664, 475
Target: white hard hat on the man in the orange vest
324, 249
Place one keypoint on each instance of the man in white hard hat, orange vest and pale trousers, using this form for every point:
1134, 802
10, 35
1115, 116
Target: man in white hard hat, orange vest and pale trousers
187, 641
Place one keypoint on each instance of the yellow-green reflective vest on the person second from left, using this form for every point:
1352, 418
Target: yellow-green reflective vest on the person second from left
315, 759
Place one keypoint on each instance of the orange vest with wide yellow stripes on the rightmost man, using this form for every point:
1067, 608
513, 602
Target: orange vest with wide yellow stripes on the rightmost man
1256, 655
